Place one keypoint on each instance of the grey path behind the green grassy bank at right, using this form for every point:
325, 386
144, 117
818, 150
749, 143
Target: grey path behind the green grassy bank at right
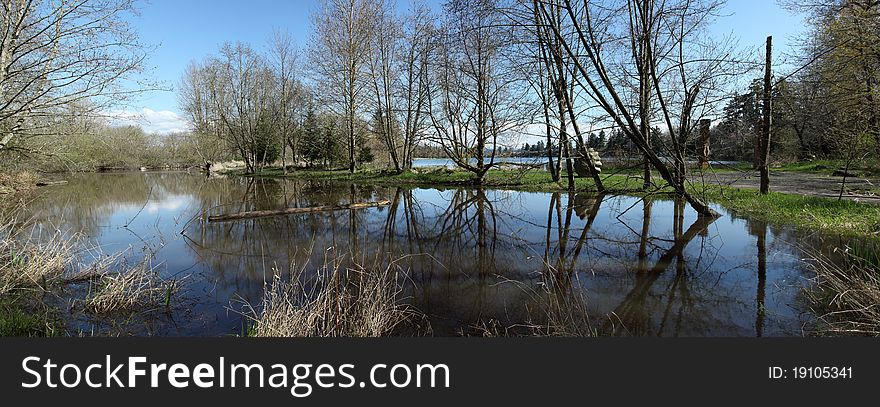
858, 189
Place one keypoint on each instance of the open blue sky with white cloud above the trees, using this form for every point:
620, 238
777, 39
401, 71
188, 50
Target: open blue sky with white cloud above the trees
182, 31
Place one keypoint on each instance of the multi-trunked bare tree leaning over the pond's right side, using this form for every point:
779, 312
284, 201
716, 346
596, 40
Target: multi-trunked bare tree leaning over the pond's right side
629, 46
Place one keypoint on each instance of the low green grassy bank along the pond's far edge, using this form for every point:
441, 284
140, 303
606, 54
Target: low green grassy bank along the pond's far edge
846, 218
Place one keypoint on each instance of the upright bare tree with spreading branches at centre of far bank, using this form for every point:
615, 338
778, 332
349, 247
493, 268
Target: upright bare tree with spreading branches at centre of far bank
476, 99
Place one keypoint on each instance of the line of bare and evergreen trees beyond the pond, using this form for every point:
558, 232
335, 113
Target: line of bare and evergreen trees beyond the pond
378, 81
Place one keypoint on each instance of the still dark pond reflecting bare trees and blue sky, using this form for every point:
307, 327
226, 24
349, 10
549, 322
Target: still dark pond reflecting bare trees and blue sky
471, 257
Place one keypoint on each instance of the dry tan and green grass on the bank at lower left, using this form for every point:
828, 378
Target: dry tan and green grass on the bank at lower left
35, 275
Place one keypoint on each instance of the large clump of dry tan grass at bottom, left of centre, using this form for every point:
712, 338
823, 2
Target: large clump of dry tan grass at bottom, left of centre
337, 301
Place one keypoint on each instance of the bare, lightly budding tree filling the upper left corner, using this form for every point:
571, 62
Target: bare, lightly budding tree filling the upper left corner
57, 53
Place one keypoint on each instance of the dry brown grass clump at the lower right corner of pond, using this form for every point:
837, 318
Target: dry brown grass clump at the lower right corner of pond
846, 295
